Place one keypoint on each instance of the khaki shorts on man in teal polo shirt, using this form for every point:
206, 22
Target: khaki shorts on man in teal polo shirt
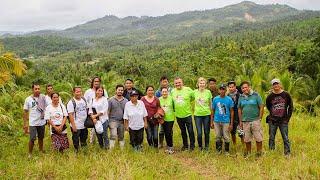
252, 130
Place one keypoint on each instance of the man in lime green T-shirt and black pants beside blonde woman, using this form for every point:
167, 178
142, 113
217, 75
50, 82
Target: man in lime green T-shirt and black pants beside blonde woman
182, 98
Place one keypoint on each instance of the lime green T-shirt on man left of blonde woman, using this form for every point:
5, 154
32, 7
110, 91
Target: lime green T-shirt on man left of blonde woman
182, 101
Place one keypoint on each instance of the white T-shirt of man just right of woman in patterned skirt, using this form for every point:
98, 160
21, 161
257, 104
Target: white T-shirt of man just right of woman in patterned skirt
81, 112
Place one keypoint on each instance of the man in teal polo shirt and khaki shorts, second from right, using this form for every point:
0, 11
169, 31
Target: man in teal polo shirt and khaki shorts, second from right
250, 111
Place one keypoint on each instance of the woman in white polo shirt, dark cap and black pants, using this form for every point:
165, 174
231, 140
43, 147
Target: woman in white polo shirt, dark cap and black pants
135, 120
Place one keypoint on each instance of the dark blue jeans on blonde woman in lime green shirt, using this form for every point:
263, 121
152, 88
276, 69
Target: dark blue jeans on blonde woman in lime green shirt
203, 122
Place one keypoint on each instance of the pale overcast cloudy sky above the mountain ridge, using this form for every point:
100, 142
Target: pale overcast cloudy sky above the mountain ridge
31, 15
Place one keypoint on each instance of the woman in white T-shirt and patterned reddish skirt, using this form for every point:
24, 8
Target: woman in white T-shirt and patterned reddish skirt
56, 114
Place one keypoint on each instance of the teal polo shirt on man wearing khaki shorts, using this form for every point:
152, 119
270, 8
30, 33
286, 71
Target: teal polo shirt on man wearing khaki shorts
249, 105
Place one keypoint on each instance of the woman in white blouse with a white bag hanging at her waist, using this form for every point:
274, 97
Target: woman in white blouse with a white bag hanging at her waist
99, 113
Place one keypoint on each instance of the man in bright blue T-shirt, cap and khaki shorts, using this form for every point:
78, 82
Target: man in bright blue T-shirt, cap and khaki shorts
223, 118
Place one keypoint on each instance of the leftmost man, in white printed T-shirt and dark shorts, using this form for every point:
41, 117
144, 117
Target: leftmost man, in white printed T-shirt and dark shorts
33, 117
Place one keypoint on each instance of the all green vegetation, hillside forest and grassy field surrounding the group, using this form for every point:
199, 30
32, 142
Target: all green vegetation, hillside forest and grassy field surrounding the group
286, 46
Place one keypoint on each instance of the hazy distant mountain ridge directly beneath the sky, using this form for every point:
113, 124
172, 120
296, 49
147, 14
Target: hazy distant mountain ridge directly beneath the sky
180, 24
